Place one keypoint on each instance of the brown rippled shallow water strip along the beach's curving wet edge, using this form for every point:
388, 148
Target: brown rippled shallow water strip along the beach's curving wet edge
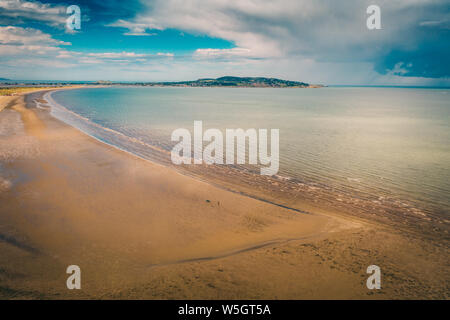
398, 212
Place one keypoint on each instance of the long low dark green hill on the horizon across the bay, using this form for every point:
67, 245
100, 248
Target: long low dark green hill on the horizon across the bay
248, 82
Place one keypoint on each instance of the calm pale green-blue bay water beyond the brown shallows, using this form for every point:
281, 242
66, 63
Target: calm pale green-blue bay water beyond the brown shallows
383, 142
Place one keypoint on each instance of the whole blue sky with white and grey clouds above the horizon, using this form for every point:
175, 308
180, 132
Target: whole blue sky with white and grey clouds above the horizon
315, 41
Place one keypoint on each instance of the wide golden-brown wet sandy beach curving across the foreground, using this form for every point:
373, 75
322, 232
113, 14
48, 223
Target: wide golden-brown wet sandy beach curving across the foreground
141, 230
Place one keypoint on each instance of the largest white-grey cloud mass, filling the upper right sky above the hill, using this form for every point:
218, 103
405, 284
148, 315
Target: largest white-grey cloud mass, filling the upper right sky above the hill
322, 31
